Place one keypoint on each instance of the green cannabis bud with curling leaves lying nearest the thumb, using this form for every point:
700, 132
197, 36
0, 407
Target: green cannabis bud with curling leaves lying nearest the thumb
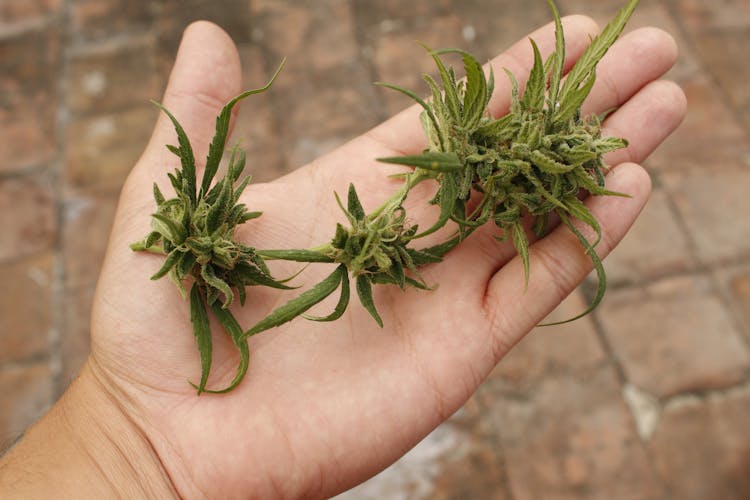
195, 231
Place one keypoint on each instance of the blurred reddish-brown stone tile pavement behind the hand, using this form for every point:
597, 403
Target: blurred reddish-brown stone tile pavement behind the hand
648, 398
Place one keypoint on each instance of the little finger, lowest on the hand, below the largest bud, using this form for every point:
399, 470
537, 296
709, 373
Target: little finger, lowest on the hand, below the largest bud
558, 262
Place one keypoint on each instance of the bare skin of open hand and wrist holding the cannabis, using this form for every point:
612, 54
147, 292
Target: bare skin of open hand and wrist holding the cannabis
323, 406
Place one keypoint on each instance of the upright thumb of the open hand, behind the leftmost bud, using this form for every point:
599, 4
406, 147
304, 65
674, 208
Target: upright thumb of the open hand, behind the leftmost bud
206, 75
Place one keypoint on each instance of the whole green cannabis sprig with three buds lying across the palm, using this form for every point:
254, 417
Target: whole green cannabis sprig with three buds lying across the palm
534, 162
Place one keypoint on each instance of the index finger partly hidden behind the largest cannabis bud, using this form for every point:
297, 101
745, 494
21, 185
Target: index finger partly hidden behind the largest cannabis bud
402, 134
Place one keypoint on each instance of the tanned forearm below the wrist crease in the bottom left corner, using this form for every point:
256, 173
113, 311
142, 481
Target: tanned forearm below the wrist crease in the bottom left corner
84, 447
